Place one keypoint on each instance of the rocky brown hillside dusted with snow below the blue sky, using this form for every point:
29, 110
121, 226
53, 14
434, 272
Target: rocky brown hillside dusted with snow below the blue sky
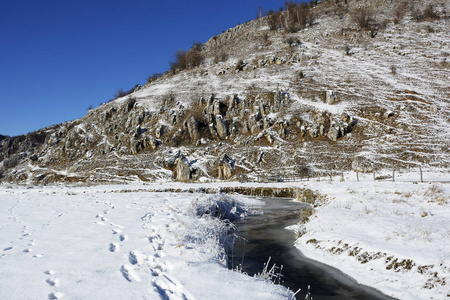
306, 102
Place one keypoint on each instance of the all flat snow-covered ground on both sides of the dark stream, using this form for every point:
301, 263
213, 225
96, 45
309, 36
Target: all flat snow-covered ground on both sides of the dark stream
110, 242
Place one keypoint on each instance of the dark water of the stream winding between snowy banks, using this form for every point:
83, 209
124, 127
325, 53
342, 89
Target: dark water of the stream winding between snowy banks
267, 237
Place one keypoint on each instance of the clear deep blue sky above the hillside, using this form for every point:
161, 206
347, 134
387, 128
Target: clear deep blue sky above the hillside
59, 57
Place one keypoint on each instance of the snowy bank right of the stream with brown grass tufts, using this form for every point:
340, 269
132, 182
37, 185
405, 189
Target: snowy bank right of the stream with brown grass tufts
394, 236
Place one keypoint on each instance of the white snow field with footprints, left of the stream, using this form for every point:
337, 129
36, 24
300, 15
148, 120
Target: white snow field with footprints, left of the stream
92, 243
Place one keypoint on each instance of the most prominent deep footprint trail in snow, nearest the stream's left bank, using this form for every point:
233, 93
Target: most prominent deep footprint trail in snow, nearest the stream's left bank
139, 263
